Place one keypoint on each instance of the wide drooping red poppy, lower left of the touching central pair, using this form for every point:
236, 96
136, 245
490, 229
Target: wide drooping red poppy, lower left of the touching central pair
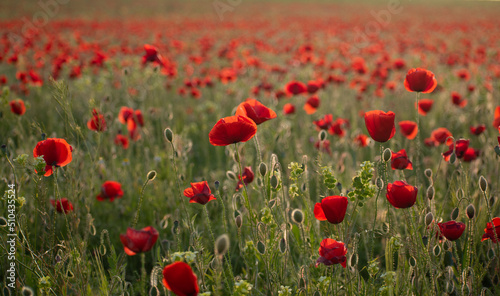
232, 129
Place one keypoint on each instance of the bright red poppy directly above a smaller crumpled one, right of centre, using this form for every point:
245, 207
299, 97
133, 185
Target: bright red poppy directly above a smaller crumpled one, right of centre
331, 208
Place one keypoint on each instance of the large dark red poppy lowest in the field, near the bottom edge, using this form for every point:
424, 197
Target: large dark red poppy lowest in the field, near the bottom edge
179, 278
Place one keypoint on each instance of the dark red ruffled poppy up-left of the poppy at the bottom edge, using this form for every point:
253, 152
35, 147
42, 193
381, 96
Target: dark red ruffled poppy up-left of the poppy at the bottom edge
138, 241
